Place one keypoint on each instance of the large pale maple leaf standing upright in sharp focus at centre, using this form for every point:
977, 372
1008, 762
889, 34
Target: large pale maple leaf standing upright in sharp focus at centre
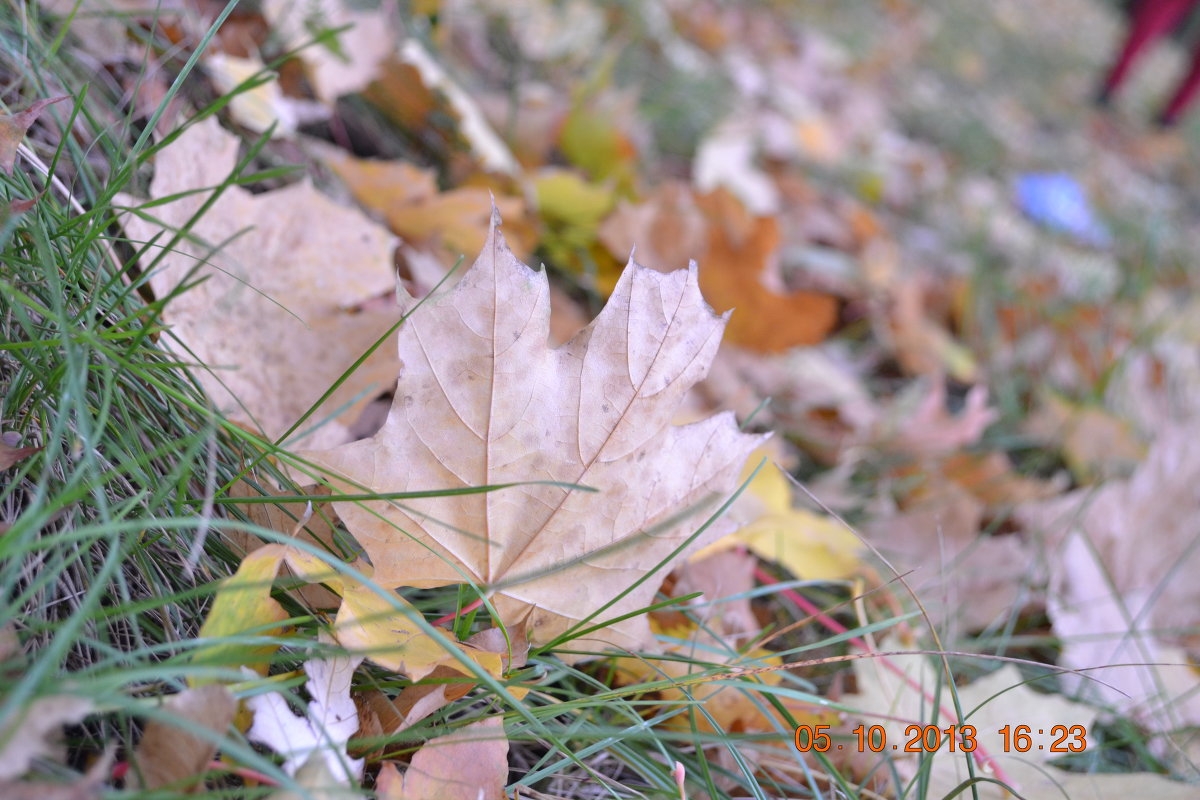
484, 401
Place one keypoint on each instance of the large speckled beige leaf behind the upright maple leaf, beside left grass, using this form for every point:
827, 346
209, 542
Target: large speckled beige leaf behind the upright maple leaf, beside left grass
277, 320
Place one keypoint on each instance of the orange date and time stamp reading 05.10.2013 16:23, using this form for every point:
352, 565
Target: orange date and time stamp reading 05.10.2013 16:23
931, 738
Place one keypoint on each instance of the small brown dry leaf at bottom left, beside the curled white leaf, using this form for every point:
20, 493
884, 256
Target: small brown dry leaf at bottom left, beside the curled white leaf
170, 753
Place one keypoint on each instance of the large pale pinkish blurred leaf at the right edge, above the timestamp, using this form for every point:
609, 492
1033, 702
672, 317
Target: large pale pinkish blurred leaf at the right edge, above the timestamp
1123, 591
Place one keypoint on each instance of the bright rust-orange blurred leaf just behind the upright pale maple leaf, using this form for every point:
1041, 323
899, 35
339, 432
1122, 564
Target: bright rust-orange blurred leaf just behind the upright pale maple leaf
740, 249
